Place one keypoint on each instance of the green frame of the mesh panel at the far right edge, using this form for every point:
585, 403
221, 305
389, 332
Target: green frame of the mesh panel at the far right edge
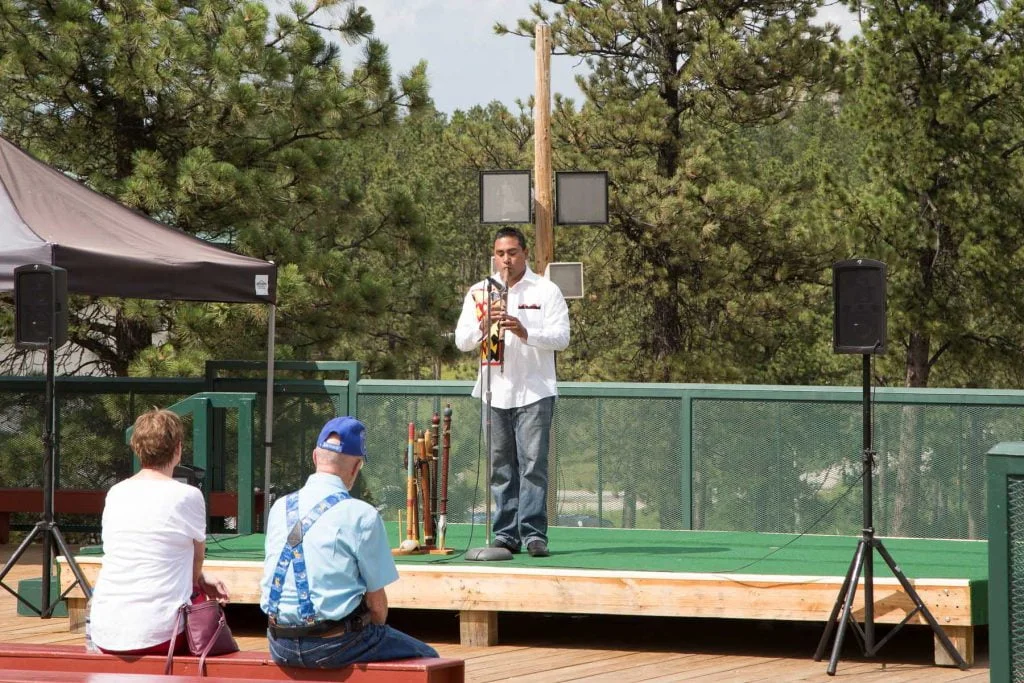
1005, 473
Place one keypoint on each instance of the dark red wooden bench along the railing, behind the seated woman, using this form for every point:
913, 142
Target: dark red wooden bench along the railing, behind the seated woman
91, 502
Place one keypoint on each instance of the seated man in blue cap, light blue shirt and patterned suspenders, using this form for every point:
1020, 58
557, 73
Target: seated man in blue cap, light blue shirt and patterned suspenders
327, 565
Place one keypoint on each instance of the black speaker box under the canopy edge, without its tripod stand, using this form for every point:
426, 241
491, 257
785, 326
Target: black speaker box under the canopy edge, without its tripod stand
40, 307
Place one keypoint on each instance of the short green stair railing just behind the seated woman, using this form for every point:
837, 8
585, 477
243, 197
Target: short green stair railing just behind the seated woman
200, 408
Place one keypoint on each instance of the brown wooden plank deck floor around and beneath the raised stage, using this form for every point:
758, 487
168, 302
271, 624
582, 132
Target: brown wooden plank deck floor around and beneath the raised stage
557, 649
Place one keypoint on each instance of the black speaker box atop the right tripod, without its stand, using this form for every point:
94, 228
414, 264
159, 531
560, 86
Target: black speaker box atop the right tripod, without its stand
860, 316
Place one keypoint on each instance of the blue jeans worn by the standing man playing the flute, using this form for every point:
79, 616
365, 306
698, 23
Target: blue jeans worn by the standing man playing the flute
520, 440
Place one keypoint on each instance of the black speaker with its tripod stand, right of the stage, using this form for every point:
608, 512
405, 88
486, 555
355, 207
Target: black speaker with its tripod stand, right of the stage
860, 327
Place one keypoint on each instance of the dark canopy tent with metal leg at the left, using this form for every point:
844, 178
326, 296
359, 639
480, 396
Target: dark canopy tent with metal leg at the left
110, 250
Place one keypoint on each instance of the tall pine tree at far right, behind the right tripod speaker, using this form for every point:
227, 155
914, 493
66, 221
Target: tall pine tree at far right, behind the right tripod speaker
937, 104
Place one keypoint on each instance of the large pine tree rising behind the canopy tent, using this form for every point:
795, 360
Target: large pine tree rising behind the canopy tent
214, 117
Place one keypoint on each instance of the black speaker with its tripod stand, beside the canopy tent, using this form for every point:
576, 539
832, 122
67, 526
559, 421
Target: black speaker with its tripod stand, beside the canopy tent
41, 323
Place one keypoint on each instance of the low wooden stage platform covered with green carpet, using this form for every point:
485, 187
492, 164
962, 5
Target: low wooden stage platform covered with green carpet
761, 577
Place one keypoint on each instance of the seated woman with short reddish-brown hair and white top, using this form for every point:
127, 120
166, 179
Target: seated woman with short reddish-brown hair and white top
154, 533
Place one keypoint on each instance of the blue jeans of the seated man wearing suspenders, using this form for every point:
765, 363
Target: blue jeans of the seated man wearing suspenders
373, 644
